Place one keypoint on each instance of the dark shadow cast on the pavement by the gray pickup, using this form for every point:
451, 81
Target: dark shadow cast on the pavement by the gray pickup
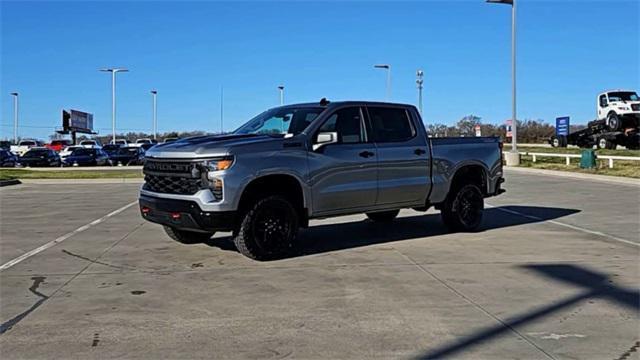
334, 237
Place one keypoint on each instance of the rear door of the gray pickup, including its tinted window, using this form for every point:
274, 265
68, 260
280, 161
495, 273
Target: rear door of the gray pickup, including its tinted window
404, 172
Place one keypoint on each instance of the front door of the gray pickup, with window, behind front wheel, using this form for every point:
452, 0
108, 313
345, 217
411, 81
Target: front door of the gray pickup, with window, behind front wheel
343, 174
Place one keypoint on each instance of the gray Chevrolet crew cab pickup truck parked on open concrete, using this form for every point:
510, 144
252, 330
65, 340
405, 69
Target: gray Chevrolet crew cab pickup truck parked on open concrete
298, 162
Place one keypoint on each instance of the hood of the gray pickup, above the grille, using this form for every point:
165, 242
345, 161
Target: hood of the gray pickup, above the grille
208, 146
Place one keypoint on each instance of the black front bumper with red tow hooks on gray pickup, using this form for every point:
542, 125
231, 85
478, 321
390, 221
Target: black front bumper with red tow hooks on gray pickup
185, 215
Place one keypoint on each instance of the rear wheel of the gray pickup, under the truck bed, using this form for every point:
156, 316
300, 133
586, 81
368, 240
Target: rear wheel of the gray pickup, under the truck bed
462, 210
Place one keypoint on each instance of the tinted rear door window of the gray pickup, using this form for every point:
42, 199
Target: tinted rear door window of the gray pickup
391, 124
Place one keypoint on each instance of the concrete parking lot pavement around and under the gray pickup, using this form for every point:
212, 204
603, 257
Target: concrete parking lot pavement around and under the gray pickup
553, 273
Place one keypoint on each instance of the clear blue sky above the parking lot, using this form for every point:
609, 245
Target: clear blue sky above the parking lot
567, 52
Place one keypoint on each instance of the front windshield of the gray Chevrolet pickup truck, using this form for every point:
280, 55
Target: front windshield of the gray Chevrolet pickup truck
281, 121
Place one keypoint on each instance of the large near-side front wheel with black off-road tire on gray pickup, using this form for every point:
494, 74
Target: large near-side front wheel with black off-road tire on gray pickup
267, 229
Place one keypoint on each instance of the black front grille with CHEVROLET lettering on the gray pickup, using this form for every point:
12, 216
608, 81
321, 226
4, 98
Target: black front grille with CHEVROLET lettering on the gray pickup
183, 178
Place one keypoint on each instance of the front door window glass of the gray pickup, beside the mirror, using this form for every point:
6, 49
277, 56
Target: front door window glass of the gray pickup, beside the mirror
349, 125
